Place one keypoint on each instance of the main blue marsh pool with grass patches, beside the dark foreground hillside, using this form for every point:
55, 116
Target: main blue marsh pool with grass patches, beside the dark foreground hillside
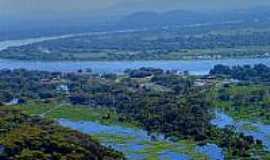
132, 142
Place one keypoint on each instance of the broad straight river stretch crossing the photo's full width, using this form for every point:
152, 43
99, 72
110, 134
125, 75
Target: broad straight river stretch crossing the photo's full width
197, 67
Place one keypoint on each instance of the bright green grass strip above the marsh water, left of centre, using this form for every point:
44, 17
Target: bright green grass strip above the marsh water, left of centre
76, 113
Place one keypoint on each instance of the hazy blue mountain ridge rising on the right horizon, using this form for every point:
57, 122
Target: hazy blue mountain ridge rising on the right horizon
180, 17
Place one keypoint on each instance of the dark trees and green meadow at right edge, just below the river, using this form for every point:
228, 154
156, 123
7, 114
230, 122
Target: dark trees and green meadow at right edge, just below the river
249, 98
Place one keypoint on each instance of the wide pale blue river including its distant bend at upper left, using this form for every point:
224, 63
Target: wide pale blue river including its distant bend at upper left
193, 66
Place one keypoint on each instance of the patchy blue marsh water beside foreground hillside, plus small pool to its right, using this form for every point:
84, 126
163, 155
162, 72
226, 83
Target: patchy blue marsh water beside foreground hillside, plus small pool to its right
137, 144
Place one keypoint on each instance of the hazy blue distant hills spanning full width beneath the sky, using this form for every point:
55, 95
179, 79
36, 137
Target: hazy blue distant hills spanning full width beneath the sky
60, 24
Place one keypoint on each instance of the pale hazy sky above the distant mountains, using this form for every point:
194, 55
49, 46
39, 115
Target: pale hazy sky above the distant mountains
36, 7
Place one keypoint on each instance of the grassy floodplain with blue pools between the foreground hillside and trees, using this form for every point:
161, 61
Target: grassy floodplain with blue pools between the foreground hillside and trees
123, 136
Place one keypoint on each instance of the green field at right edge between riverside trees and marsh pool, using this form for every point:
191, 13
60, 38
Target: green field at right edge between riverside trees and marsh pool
244, 102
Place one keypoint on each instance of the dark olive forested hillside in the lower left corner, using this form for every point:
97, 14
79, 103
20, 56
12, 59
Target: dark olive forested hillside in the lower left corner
30, 138
